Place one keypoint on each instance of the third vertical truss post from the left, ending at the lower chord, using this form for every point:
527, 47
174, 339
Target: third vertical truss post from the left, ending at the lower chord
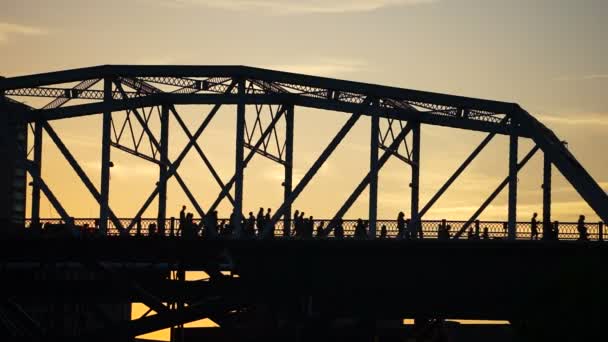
163, 169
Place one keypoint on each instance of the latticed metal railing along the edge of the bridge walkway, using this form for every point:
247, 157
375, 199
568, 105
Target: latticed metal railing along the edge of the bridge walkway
496, 229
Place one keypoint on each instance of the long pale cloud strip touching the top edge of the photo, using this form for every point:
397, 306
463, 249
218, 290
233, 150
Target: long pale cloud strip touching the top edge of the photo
299, 6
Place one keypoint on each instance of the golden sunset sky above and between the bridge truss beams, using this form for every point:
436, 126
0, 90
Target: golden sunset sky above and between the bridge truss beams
547, 55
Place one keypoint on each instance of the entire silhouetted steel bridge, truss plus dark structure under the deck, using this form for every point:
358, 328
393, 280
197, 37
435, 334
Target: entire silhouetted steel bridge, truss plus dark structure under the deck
277, 288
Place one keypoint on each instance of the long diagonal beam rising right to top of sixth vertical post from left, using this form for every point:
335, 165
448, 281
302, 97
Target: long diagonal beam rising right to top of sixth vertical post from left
314, 169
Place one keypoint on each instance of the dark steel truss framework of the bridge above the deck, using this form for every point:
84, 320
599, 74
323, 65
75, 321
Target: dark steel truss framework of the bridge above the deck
144, 91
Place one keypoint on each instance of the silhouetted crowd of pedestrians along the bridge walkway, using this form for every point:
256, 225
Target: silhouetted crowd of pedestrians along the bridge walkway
300, 226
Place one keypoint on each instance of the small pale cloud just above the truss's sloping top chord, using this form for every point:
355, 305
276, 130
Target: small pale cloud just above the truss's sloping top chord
324, 67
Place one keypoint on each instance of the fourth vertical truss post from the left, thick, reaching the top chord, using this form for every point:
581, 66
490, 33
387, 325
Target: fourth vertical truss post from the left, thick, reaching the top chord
239, 154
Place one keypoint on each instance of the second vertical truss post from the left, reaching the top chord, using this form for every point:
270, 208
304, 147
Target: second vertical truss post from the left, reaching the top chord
105, 159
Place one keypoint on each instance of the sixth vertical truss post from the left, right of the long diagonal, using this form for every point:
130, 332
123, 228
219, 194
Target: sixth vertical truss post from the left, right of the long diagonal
373, 173
